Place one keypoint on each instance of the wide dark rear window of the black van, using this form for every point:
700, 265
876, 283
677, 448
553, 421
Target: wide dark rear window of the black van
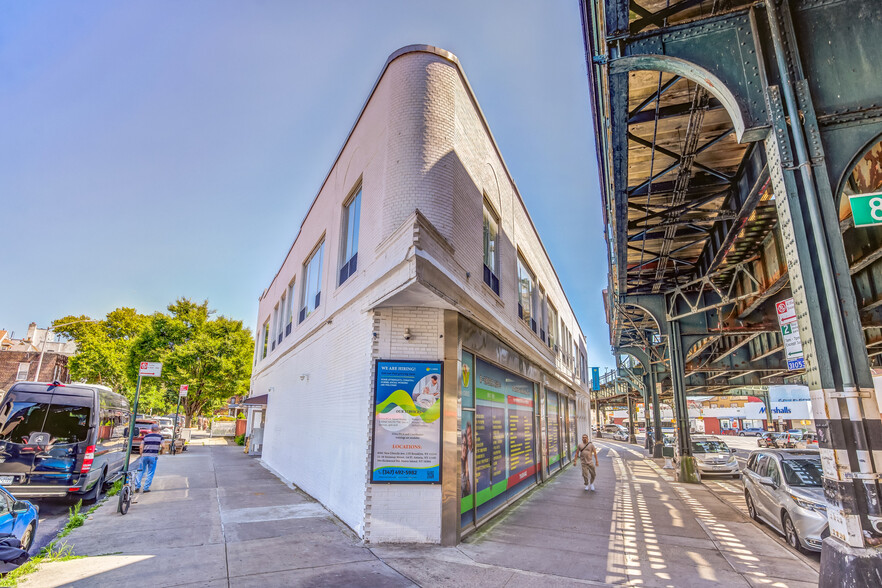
64, 424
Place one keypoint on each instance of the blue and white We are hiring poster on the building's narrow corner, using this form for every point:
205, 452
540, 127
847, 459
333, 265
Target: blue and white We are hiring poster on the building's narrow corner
407, 422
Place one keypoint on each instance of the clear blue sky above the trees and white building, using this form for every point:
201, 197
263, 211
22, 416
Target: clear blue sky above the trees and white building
140, 141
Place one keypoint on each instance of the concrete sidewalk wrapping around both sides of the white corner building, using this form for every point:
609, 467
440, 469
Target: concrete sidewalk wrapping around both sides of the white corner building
218, 518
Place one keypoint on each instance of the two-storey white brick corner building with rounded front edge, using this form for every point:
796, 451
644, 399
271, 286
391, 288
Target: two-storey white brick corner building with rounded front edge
418, 248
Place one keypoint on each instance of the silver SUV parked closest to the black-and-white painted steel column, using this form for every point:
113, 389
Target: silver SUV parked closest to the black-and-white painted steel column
784, 488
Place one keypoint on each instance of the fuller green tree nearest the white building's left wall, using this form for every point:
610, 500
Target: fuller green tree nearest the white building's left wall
211, 355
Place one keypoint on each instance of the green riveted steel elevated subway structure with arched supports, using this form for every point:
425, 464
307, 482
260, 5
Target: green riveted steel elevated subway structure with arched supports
729, 135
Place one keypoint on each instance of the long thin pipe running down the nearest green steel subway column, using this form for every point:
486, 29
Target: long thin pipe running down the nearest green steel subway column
812, 200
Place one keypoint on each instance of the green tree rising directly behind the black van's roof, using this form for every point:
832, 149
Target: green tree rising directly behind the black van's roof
103, 347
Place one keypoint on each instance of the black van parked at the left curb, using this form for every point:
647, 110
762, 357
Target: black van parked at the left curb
60, 439
